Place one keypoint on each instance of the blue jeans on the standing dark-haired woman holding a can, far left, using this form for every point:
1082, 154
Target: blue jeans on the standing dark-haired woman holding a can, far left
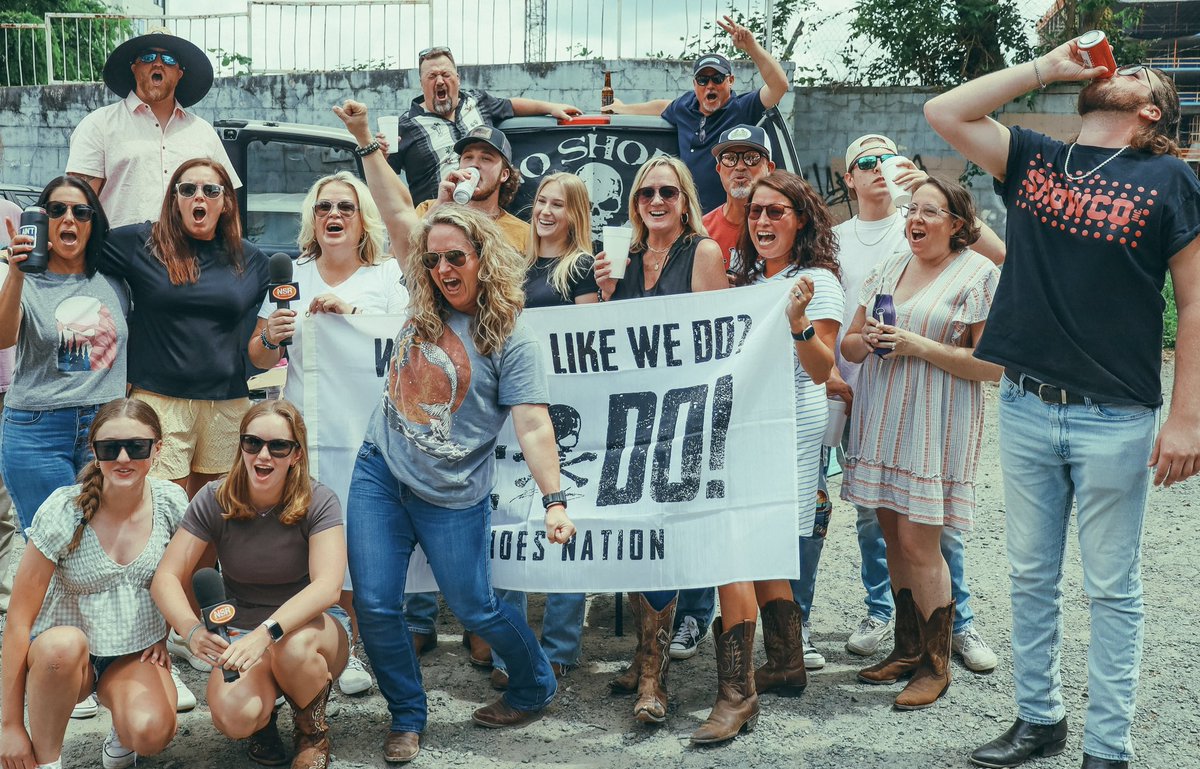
43, 452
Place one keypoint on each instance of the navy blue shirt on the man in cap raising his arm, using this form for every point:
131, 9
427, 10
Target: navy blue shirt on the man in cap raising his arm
685, 115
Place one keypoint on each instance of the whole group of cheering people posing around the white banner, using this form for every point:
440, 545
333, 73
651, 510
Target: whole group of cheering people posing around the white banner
134, 347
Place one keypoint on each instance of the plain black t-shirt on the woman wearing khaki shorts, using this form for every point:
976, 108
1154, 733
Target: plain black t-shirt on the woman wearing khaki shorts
188, 341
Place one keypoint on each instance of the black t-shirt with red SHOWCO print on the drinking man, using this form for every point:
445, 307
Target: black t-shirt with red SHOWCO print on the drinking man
1079, 303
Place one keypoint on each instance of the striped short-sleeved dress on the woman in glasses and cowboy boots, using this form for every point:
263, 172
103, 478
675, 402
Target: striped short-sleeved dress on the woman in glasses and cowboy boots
916, 431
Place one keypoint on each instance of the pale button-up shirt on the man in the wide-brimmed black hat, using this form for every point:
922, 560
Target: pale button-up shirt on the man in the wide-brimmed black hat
125, 146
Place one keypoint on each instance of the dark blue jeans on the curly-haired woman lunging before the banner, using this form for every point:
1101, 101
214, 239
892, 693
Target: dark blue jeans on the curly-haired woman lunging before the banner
386, 521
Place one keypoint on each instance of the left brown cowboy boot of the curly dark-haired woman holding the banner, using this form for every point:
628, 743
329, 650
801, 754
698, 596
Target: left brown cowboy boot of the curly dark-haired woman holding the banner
737, 701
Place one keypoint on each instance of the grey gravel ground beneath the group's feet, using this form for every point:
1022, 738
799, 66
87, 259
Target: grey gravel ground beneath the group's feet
838, 723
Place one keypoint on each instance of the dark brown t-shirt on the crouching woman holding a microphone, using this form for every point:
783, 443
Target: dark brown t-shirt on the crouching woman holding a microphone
263, 562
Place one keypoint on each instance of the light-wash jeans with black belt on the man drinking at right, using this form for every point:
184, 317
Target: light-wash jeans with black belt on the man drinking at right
1097, 454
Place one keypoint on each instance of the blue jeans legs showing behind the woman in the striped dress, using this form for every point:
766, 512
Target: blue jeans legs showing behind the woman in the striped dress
879, 584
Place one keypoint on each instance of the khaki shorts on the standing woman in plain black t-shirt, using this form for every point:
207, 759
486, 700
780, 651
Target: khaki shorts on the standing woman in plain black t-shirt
197, 436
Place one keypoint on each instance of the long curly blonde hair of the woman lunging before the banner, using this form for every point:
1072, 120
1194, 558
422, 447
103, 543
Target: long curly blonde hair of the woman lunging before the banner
501, 280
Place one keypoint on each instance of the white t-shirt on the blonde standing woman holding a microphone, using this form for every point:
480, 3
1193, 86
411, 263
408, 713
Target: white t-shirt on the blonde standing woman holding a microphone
373, 290
